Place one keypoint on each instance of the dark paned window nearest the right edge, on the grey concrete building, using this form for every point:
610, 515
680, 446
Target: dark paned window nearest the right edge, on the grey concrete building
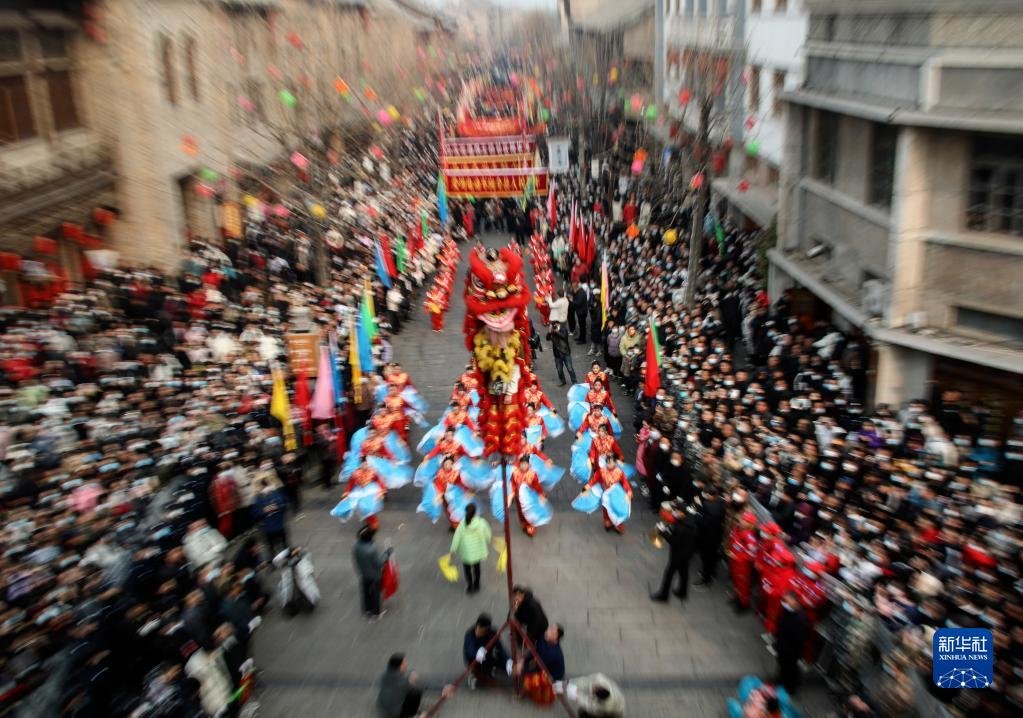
997, 186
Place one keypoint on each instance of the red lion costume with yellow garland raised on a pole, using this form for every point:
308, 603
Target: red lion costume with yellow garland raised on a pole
498, 336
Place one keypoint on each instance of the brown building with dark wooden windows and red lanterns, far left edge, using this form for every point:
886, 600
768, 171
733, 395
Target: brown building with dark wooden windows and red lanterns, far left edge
57, 185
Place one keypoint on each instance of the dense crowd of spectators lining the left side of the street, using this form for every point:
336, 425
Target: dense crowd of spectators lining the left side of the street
146, 489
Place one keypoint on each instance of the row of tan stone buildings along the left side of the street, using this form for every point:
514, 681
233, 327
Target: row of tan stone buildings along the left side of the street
157, 108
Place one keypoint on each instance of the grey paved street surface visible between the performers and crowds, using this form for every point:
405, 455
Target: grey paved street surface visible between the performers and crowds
670, 660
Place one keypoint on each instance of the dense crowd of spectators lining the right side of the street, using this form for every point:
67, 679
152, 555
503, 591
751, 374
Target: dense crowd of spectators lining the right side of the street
912, 509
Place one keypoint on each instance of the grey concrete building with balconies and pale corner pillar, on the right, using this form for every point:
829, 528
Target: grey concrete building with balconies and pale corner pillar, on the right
902, 201
